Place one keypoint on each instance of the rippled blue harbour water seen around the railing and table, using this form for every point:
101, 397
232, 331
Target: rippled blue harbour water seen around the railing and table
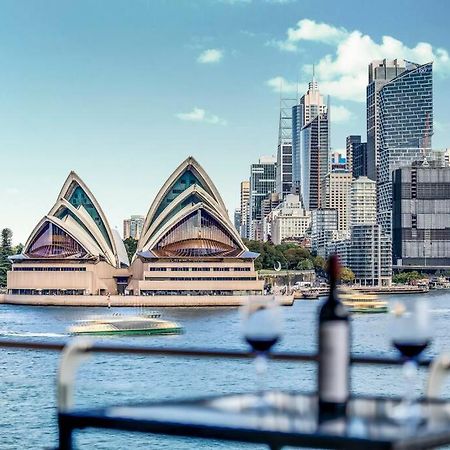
27, 386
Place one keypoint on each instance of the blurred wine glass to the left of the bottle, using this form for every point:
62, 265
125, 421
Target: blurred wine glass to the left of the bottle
261, 326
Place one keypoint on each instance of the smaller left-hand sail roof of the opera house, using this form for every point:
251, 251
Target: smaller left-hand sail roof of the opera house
75, 228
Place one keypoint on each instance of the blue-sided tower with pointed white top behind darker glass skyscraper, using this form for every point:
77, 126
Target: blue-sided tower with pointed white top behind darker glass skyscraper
308, 108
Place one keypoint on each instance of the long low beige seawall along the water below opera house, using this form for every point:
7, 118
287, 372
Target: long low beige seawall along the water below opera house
132, 300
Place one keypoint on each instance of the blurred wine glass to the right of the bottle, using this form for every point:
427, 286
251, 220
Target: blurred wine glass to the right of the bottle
410, 334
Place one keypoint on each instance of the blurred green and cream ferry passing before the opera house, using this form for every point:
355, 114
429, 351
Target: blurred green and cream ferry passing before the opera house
117, 324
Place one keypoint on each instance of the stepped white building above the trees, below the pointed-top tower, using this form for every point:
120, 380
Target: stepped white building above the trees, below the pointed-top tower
289, 220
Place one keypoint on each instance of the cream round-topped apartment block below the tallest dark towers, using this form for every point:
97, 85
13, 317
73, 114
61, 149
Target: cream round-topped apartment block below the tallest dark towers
363, 202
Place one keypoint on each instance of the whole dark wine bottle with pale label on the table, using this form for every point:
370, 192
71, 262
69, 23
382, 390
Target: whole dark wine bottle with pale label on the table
334, 350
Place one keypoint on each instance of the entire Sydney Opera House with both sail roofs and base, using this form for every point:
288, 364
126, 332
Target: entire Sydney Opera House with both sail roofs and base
188, 246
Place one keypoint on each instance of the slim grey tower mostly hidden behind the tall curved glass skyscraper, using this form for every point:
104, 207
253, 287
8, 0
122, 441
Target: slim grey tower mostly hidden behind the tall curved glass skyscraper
381, 72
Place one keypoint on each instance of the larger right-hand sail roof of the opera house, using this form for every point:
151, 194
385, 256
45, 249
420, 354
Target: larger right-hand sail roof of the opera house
188, 218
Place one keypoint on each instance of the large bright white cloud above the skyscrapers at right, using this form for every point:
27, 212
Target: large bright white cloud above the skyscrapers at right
343, 72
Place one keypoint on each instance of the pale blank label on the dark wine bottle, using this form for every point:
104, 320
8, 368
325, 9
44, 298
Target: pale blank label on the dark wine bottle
334, 360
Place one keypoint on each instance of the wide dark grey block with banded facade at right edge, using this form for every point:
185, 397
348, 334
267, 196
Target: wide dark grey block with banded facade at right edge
421, 216
